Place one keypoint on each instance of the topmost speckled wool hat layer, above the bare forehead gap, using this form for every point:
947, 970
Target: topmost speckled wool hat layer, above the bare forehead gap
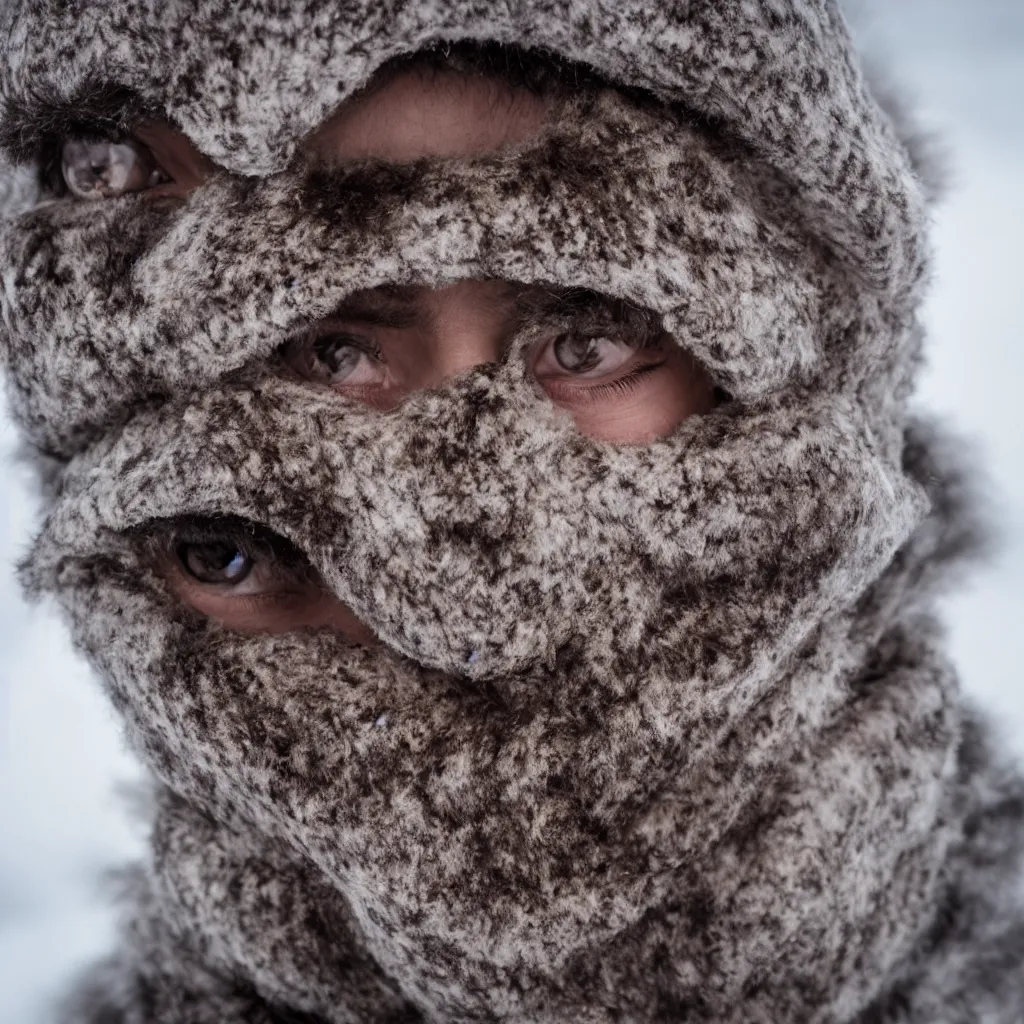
248, 79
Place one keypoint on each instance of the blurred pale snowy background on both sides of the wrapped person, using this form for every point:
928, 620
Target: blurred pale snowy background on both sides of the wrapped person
61, 822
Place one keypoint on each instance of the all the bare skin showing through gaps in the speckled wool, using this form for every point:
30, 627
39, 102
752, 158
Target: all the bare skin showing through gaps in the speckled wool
386, 345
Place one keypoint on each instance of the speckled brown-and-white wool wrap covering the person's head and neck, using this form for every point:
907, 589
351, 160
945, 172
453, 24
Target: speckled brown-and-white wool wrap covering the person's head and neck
655, 734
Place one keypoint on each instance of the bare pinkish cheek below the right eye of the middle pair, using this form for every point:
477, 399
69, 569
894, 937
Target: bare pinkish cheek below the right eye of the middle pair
654, 410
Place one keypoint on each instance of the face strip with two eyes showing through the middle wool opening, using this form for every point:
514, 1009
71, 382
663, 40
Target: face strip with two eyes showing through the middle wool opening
622, 379
